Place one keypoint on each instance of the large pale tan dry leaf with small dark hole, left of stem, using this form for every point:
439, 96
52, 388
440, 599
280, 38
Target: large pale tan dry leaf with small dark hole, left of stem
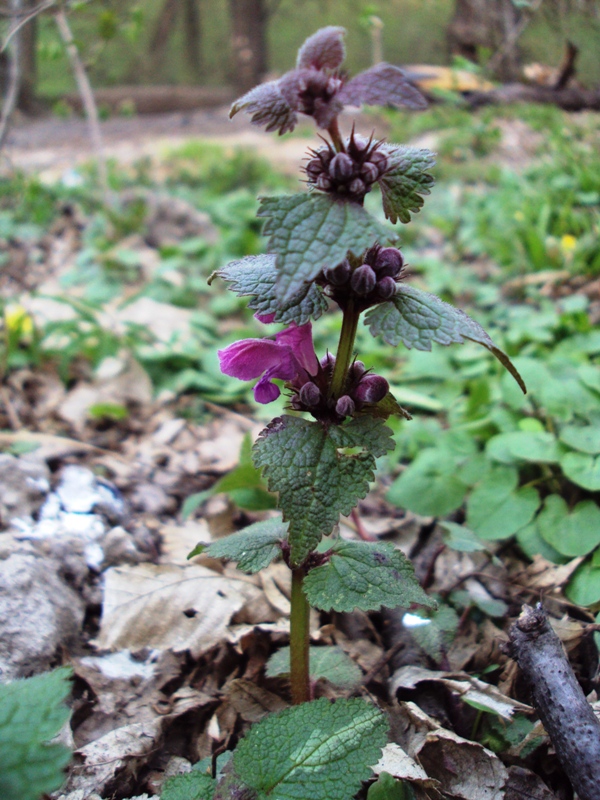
168, 607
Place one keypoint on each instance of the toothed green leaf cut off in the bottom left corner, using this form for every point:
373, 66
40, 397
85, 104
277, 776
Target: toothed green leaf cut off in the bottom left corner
32, 712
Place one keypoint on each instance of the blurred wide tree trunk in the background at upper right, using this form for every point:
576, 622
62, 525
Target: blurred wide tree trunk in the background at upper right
491, 24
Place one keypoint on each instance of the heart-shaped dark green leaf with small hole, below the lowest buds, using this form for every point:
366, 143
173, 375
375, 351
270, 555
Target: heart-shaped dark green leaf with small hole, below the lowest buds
317, 481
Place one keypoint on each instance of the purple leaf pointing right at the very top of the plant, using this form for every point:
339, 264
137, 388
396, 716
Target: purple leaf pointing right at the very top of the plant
382, 85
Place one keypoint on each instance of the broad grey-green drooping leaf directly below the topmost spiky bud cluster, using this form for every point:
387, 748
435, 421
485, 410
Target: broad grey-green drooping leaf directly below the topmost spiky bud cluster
310, 232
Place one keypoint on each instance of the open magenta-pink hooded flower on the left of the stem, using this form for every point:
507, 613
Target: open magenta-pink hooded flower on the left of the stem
290, 357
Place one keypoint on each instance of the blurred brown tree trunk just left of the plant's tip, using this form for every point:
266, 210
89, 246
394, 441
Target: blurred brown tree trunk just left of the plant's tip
249, 41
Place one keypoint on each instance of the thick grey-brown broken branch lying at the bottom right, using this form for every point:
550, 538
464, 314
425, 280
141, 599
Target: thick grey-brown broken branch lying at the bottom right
558, 698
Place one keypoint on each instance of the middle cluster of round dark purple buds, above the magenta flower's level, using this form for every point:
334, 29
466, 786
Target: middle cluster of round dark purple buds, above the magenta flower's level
369, 282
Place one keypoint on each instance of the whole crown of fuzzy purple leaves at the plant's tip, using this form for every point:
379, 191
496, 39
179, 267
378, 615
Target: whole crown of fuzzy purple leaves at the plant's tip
317, 89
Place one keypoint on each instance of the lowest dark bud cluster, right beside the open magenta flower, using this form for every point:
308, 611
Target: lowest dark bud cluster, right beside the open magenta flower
362, 388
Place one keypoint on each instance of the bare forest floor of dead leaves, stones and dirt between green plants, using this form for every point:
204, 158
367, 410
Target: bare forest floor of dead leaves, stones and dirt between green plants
169, 655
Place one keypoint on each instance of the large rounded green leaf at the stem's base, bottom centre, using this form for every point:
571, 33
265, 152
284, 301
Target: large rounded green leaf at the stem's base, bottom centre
312, 751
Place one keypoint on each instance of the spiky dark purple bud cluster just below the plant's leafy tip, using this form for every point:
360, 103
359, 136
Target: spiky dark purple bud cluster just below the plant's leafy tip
351, 173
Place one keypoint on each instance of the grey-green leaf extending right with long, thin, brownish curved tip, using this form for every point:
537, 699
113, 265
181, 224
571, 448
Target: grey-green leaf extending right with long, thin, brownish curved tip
418, 318
